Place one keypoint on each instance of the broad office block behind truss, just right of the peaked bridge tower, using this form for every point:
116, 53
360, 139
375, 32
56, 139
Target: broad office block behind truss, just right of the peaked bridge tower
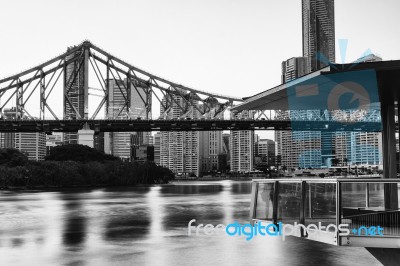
119, 143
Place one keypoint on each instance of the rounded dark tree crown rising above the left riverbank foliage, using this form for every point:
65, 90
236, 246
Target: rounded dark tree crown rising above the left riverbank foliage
78, 153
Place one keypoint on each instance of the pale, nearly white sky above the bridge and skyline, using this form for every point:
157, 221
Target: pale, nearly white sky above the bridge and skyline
233, 47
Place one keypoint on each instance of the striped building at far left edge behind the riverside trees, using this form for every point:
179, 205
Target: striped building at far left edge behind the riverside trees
33, 144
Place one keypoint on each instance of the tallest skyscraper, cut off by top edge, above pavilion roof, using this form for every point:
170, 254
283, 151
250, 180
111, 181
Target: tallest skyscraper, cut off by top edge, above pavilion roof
318, 33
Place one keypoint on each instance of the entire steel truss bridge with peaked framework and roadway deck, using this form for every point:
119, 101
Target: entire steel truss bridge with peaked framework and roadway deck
35, 98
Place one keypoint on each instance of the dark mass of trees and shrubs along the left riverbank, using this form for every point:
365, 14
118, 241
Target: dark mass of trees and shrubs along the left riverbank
102, 171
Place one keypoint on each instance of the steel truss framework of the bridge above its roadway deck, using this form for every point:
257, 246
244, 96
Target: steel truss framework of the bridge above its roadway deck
72, 69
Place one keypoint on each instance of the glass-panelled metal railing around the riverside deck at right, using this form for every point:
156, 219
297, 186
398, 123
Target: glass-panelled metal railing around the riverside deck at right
344, 211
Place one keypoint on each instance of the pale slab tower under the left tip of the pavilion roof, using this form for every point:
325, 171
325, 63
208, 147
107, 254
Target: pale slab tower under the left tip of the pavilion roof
242, 146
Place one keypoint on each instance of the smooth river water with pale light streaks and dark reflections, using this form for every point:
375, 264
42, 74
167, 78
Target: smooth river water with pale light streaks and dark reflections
147, 226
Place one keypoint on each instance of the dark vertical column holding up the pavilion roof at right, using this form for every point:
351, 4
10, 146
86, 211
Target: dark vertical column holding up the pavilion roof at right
389, 151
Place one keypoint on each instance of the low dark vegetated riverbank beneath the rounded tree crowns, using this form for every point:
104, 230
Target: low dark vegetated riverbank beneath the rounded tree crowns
69, 174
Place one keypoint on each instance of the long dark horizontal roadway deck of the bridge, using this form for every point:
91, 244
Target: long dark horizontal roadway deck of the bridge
181, 125
